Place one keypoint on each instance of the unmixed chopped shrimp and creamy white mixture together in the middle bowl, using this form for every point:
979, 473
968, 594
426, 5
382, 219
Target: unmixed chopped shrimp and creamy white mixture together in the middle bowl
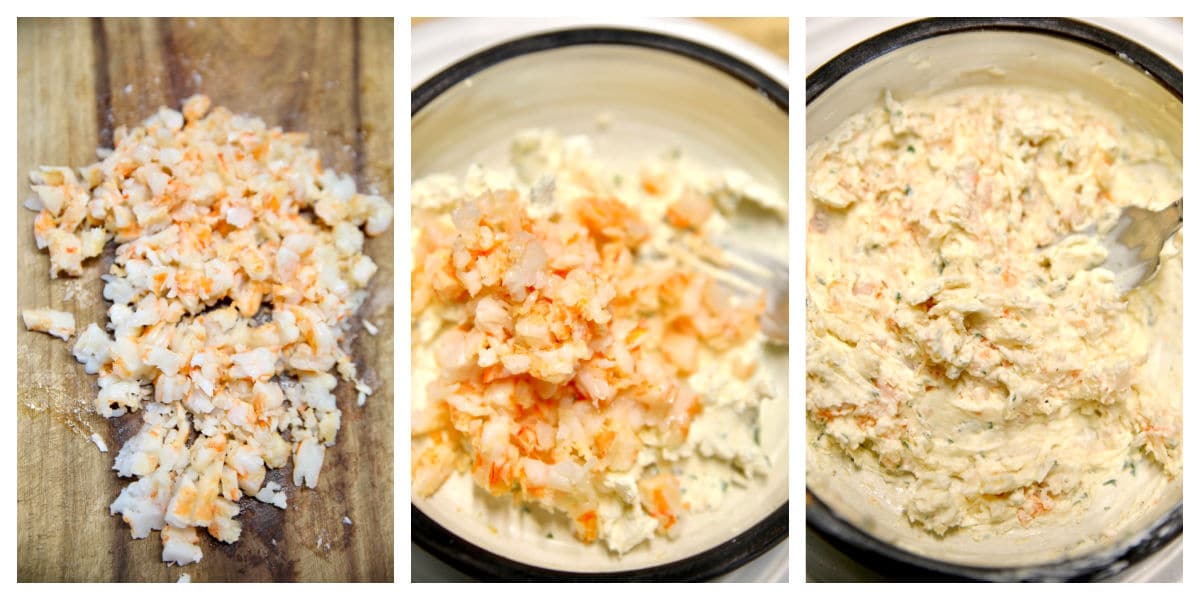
569, 349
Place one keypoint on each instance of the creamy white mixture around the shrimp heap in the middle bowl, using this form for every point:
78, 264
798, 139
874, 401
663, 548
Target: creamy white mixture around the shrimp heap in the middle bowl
722, 446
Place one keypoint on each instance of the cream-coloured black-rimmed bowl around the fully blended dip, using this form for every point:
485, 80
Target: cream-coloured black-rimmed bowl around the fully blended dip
853, 511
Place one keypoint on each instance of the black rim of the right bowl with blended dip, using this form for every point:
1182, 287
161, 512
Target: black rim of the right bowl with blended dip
886, 557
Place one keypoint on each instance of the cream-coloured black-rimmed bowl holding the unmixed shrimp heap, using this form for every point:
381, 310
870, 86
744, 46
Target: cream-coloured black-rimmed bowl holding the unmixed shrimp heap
637, 95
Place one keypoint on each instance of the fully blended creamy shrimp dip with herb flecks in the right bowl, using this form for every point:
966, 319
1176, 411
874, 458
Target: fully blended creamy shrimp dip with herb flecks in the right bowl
962, 344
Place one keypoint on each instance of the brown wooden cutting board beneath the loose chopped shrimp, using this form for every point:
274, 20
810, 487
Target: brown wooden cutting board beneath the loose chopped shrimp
77, 81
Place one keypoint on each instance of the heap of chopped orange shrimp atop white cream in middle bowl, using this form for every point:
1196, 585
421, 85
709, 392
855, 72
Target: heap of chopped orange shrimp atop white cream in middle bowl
565, 341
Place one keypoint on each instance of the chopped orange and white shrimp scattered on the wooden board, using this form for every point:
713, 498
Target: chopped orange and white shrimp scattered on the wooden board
238, 268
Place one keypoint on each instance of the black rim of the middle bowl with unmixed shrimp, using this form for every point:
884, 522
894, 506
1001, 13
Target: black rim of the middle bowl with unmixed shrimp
703, 566
